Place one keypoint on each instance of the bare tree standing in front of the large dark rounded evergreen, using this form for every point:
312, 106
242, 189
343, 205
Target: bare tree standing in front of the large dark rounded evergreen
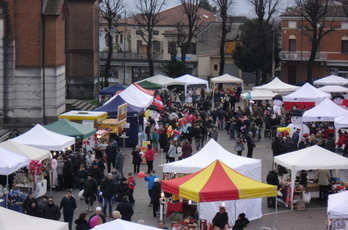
264, 10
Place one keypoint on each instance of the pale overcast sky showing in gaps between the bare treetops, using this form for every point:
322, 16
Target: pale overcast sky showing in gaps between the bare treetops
239, 7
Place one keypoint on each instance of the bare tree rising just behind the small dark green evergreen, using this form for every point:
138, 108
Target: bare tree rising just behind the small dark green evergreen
187, 29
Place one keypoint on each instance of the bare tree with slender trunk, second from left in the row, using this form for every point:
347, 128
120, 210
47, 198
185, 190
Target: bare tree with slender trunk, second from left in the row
146, 20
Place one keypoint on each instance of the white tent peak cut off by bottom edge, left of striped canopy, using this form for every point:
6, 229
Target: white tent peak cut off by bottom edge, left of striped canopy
123, 225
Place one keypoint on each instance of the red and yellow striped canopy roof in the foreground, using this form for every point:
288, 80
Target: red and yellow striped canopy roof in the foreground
218, 182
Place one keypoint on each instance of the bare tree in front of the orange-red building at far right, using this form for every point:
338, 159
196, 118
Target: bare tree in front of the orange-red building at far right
316, 14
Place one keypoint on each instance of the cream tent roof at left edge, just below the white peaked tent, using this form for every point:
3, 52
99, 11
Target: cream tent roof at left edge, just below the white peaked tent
25, 150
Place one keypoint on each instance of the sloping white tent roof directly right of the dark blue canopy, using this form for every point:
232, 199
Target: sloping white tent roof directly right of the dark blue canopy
136, 97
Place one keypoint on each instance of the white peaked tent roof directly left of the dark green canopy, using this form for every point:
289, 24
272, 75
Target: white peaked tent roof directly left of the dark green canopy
42, 138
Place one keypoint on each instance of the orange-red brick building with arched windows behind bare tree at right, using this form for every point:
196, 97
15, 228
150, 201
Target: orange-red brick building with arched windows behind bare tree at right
332, 55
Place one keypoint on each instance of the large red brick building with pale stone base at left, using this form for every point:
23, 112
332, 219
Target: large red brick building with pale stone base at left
48, 48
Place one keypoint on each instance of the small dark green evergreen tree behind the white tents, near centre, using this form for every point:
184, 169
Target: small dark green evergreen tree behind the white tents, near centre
174, 68
